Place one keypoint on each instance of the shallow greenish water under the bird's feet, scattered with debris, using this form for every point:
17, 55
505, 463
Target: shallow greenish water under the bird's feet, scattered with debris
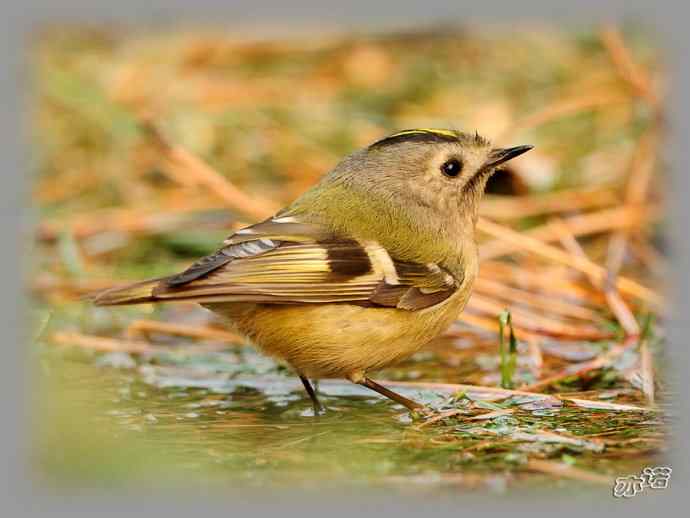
234, 418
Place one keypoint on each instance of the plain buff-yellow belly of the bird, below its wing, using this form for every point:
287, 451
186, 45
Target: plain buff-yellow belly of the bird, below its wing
340, 340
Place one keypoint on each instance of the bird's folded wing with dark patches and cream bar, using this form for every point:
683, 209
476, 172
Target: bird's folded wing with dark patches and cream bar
285, 261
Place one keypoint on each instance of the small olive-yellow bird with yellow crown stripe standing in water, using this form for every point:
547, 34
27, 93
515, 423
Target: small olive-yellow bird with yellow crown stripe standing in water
359, 272
